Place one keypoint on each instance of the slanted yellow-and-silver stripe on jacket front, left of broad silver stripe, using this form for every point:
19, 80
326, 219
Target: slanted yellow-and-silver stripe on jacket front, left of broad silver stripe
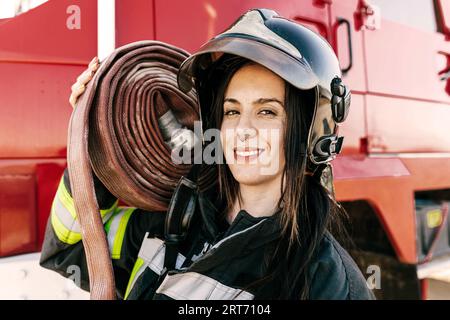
151, 255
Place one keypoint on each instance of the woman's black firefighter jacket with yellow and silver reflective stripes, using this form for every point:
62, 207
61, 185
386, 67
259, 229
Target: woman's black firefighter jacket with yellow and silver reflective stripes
217, 260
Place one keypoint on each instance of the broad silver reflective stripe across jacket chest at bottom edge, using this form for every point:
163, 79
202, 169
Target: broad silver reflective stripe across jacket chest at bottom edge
195, 286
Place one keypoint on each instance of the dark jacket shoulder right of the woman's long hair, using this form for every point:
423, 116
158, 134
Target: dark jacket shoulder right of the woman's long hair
335, 276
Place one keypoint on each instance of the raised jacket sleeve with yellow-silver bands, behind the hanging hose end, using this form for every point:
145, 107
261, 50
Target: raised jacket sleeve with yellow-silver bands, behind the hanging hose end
125, 228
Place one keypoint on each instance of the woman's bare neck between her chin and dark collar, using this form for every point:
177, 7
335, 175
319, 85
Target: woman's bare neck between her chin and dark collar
258, 200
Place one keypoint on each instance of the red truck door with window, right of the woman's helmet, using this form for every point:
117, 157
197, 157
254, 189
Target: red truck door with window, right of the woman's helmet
404, 58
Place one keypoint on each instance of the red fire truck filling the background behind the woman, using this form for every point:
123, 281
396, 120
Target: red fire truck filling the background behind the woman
393, 177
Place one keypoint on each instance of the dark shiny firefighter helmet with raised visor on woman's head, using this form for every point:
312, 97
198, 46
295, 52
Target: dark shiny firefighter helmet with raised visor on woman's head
295, 53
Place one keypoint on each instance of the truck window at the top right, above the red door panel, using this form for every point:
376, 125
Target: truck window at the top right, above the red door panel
418, 14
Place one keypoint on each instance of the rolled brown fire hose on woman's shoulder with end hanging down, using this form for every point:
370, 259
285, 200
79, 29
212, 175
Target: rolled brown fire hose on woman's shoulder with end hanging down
114, 134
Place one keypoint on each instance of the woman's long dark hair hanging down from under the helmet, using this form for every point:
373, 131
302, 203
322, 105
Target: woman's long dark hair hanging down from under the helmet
305, 206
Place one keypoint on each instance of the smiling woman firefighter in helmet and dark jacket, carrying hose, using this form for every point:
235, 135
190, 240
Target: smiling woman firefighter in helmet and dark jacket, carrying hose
260, 234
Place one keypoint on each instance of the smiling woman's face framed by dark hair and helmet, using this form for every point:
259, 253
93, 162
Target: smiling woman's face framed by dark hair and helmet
252, 130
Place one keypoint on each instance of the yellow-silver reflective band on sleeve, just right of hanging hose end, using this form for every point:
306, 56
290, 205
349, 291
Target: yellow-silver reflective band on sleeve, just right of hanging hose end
115, 229
